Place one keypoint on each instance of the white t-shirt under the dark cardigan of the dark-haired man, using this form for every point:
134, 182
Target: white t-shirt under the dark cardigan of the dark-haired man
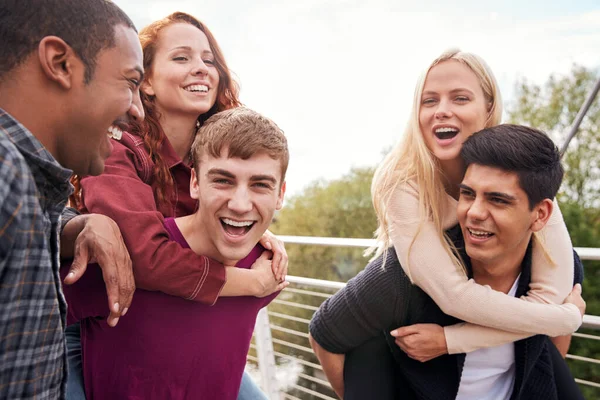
489, 374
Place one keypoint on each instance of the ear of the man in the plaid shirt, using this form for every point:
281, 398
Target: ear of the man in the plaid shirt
58, 61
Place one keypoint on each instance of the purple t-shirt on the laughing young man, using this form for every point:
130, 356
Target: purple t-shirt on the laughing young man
165, 347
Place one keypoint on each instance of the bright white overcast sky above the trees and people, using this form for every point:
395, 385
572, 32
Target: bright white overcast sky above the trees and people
338, 75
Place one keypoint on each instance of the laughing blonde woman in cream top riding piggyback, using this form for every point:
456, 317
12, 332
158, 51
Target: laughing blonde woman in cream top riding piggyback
415, 192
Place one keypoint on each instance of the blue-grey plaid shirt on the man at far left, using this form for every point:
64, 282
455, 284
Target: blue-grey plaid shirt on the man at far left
33, 192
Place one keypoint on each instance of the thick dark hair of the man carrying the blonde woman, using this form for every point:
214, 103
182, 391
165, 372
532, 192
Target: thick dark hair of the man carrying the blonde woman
528, 152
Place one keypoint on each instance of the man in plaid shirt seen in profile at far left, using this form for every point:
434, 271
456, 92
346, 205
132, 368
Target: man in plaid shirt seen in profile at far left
69, 71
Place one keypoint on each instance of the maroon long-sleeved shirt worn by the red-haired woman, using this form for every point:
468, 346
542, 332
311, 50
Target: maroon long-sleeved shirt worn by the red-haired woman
124, 193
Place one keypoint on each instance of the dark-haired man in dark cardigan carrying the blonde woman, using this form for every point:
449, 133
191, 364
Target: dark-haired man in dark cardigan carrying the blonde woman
513, 173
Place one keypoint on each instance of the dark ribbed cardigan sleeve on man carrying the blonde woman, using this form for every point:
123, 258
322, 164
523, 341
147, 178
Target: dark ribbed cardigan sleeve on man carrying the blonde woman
366, 306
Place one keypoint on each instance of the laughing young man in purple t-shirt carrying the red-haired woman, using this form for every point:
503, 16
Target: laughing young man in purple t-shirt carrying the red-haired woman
168, 347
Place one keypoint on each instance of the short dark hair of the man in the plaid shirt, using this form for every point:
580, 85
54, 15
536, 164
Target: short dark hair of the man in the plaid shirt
88, 26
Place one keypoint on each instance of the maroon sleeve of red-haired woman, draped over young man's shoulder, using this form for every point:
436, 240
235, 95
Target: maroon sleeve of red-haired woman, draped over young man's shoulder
158, 263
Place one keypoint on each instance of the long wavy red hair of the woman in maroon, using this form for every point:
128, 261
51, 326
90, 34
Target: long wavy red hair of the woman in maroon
150, 129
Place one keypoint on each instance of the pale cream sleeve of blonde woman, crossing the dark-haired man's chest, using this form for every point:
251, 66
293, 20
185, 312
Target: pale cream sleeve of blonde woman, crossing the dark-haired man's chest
431, 268
